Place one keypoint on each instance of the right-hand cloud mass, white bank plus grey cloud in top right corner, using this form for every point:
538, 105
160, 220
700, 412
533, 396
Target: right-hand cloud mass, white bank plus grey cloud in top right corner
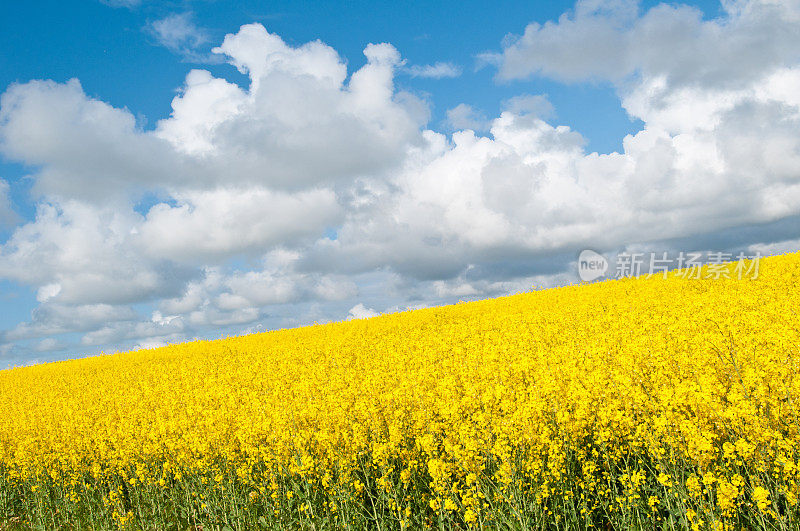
717, 151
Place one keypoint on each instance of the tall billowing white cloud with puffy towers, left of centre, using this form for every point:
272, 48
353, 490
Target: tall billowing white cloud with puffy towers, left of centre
301, 123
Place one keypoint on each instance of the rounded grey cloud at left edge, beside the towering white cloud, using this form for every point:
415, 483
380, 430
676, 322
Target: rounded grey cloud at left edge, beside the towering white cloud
84, 148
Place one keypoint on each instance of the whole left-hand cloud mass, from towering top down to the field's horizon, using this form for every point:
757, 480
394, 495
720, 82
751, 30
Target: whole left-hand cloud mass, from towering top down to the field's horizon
242, 171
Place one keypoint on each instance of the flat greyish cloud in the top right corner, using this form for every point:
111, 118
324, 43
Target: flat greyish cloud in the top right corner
611, 40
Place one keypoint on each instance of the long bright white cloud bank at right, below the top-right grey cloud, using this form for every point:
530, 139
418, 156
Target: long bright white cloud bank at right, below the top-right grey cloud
530, 190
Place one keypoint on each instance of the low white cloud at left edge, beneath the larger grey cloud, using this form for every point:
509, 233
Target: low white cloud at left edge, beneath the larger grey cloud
78, 253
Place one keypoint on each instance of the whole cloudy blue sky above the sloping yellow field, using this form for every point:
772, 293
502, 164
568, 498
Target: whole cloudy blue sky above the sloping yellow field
484, 161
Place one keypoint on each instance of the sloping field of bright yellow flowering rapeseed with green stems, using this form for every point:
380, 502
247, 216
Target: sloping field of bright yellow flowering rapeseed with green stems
644, 403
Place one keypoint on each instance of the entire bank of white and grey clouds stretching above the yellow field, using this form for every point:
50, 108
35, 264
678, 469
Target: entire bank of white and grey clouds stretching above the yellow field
309, 194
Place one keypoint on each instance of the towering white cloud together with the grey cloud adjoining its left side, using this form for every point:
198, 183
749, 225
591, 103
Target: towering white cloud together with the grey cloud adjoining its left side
298, 125
